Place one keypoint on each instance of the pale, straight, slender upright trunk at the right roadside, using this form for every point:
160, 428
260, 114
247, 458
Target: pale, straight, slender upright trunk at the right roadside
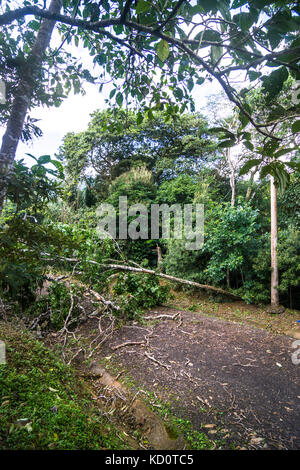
274, 240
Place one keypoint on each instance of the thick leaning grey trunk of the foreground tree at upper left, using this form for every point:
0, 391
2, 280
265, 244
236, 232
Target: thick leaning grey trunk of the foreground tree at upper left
22, 100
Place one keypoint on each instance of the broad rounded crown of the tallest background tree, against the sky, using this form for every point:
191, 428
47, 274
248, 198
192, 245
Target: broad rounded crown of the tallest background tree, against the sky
114, 143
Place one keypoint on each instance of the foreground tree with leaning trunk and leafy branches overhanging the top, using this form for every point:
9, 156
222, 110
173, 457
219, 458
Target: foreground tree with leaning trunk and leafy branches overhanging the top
189, 43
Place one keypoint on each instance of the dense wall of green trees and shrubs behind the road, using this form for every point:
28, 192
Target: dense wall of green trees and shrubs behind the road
47, 223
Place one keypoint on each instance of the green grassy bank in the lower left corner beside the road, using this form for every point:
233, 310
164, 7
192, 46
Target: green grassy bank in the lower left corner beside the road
34, 381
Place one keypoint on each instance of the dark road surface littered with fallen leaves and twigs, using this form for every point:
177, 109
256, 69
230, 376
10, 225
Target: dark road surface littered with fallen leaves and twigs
233, 381
